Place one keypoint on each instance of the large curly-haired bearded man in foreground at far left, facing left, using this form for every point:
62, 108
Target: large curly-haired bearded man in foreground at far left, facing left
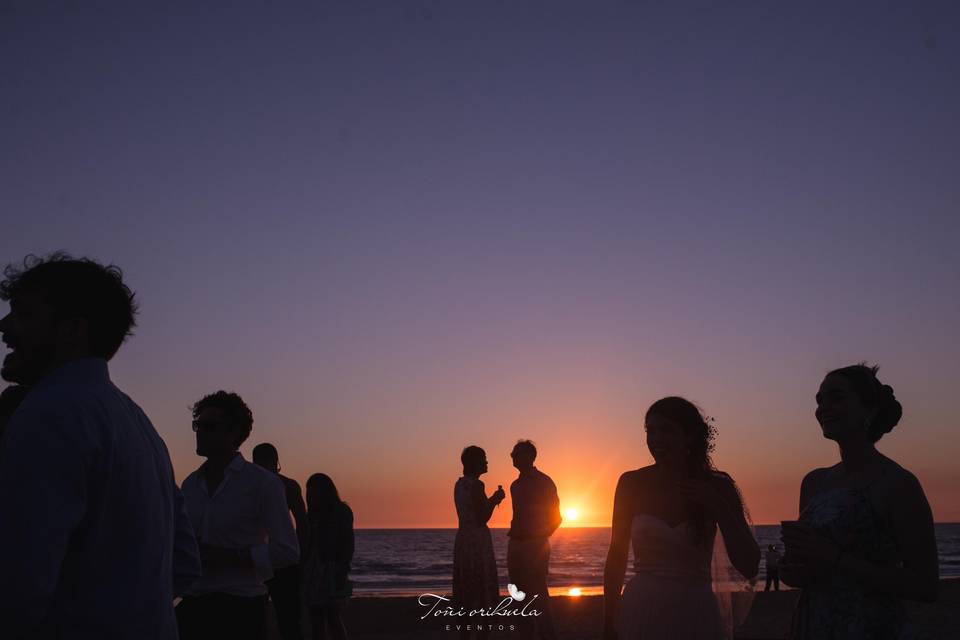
94, 543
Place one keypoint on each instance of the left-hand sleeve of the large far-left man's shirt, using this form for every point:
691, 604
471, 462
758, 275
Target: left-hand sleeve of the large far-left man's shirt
43, 498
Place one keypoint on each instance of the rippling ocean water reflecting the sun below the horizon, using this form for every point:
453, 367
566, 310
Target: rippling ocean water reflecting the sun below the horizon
404, 562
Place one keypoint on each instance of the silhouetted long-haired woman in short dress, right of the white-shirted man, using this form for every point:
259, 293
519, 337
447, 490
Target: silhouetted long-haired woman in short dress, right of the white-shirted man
326, 565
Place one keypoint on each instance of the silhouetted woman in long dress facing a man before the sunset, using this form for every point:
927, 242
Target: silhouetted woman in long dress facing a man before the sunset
475, 580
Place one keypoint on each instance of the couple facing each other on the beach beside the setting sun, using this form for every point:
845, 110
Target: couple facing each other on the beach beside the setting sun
536, 515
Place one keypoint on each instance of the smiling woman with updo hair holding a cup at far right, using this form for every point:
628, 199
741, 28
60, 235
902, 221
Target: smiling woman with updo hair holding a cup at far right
864, 540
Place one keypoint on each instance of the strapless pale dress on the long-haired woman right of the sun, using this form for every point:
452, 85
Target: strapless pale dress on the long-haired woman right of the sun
671, 597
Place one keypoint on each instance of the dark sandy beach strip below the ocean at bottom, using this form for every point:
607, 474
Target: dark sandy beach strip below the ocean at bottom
579, 618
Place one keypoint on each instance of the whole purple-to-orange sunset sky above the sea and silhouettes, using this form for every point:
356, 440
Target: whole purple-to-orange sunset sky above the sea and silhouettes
400, 228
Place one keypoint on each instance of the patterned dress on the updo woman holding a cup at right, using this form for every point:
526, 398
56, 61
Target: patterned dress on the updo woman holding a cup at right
838, 607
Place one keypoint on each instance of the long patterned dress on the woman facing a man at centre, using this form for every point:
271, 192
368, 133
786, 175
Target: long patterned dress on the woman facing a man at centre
474, 567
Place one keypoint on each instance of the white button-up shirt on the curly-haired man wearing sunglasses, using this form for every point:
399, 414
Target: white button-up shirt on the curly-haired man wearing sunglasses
247, 511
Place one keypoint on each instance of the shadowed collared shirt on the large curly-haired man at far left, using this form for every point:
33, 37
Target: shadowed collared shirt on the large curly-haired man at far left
94, 540
